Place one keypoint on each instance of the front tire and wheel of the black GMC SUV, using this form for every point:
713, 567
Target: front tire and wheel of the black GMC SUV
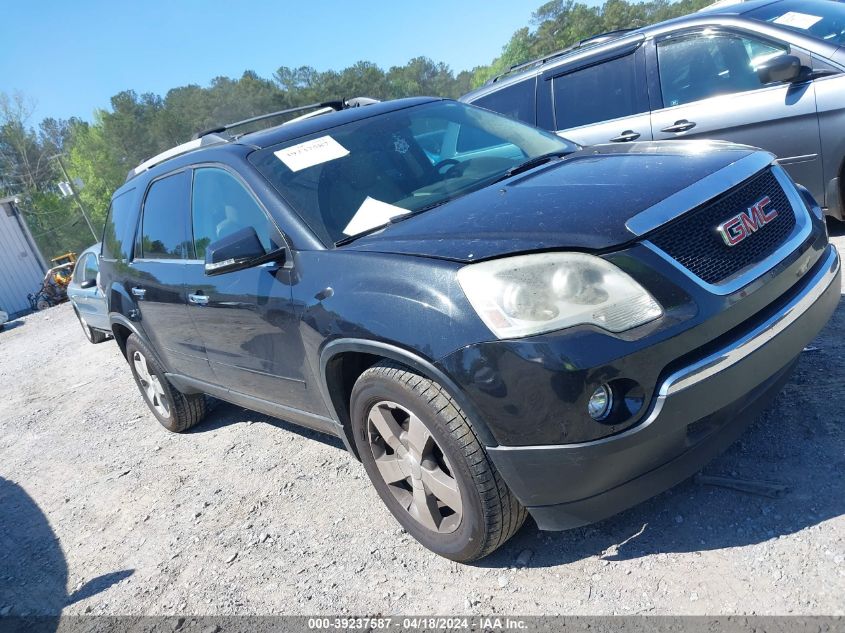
441, 459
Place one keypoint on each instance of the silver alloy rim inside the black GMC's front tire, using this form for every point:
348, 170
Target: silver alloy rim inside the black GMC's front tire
413, 466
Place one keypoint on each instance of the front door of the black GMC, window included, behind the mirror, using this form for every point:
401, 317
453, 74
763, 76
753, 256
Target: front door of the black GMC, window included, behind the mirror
246, 318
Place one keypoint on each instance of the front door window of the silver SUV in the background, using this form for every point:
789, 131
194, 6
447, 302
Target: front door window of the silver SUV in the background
704, 65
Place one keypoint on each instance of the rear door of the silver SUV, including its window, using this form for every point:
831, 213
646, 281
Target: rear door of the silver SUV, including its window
603, 102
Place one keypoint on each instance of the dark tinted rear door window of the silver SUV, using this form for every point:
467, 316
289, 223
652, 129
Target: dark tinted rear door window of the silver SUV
606, 91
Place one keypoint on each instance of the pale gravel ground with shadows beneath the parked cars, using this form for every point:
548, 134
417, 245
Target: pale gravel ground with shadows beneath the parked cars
102, 511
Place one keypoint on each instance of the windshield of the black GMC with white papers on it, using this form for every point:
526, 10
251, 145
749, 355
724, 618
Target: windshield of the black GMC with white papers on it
350, 179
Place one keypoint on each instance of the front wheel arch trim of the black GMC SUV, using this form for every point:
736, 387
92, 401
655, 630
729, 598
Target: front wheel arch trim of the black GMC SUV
342, 361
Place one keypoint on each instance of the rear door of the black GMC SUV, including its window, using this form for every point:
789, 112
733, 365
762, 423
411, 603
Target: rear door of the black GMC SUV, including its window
158, 275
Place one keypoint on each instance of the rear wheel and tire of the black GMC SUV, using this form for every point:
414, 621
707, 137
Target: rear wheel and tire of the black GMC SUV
176, 411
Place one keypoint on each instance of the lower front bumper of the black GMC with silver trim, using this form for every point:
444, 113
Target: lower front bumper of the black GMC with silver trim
698, 411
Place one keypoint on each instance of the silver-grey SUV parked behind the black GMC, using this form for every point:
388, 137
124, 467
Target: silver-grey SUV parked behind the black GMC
763, 73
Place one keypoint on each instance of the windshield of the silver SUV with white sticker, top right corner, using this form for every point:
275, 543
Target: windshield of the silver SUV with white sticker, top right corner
821, 19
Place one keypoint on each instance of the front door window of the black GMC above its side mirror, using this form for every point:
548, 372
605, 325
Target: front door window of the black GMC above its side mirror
221, 205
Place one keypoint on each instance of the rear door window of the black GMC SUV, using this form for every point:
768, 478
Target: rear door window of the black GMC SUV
164, 225
